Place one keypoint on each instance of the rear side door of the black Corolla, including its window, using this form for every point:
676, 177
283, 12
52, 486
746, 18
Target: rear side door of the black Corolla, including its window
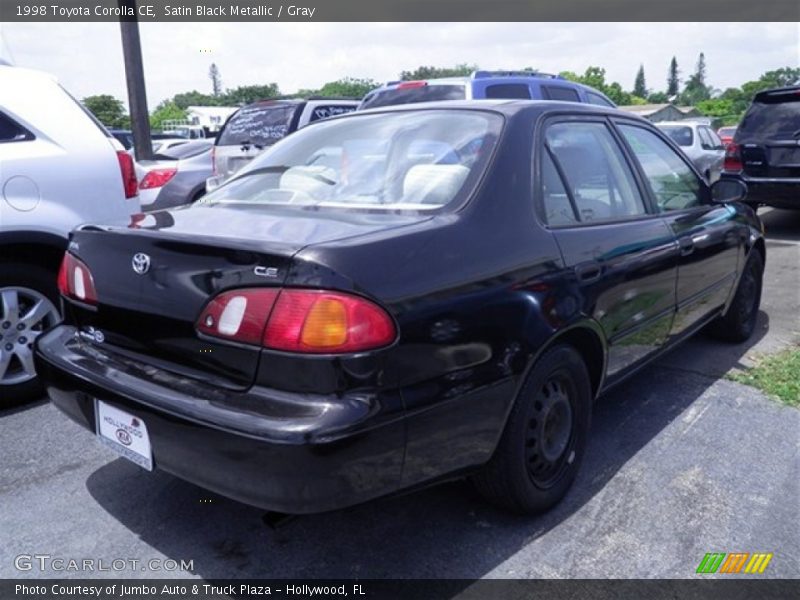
619, 254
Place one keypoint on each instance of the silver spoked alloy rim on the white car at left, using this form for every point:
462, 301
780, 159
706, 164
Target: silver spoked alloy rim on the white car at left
26, 313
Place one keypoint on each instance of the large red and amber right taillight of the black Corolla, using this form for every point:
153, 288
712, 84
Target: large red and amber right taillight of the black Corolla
305, 321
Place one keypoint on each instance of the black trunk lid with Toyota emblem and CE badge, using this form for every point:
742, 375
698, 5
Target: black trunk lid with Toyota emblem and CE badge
152, 311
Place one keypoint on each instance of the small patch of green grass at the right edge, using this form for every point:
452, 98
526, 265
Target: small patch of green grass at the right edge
776, 374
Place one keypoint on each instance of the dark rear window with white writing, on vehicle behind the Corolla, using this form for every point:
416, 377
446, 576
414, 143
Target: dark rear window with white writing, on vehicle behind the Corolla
259, 125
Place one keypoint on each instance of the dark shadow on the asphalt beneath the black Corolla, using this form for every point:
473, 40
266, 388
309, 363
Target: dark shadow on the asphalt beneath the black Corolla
442, 532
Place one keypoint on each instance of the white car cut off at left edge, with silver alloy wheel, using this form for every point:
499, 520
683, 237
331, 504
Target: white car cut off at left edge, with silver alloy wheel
59, 168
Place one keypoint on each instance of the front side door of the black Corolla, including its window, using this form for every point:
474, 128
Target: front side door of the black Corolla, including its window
709, 236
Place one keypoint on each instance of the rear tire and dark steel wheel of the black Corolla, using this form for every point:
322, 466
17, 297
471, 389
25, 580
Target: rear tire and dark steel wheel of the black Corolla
528, 474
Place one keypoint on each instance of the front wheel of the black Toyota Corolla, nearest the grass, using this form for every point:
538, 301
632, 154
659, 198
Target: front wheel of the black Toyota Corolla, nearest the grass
738, 324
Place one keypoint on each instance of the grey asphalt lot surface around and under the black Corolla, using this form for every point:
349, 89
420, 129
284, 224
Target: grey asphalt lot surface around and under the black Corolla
681, 462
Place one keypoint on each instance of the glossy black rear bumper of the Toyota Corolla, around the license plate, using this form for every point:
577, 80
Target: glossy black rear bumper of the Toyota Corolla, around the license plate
291, 453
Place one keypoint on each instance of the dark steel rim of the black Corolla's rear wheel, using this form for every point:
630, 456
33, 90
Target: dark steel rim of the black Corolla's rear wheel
550, 432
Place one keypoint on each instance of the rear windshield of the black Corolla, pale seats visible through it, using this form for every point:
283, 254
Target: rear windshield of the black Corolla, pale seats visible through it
415, 160
